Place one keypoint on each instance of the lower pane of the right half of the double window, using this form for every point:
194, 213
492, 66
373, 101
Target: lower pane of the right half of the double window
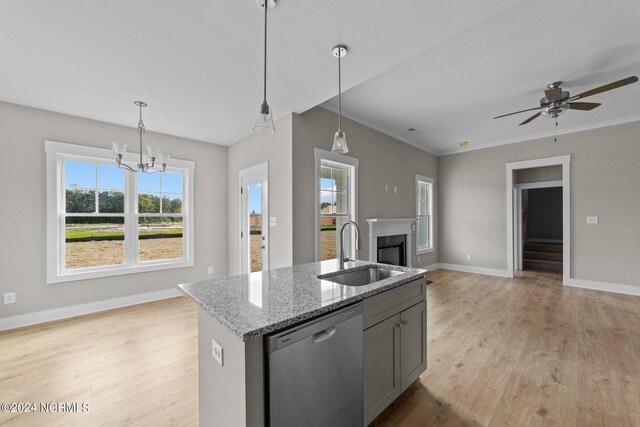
159, 238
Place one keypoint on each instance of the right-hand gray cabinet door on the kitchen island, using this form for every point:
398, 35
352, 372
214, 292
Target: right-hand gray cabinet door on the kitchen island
413, 343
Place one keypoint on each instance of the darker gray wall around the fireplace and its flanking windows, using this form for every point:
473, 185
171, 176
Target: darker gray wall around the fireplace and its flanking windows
383, 160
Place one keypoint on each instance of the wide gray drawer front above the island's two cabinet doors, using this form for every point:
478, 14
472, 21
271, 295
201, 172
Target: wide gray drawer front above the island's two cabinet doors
386, 304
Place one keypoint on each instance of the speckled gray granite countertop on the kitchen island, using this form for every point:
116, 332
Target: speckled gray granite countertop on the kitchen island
256, 304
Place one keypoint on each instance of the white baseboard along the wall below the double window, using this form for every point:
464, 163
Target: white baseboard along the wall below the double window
78, 310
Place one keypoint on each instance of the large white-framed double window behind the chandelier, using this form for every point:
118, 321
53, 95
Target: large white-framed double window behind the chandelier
103, 220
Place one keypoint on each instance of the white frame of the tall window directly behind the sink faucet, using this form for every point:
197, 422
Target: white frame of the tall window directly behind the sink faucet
344, 162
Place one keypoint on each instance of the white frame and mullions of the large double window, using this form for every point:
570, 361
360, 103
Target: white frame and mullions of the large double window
56, 154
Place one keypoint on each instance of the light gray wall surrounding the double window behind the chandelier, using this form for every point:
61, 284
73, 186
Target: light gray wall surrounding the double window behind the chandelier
23, 214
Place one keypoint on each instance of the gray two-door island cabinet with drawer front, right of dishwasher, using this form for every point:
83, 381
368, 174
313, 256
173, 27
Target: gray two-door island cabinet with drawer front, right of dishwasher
395, 349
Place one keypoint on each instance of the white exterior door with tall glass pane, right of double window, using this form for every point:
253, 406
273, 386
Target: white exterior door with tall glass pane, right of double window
254, 214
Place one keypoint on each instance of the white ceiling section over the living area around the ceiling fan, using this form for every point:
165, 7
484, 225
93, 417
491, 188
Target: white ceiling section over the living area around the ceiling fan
452, 91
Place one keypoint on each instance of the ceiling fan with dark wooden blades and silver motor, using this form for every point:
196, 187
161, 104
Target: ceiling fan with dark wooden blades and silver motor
556, 101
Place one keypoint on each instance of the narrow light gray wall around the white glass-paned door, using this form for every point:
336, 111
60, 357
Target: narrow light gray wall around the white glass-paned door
276, 150
